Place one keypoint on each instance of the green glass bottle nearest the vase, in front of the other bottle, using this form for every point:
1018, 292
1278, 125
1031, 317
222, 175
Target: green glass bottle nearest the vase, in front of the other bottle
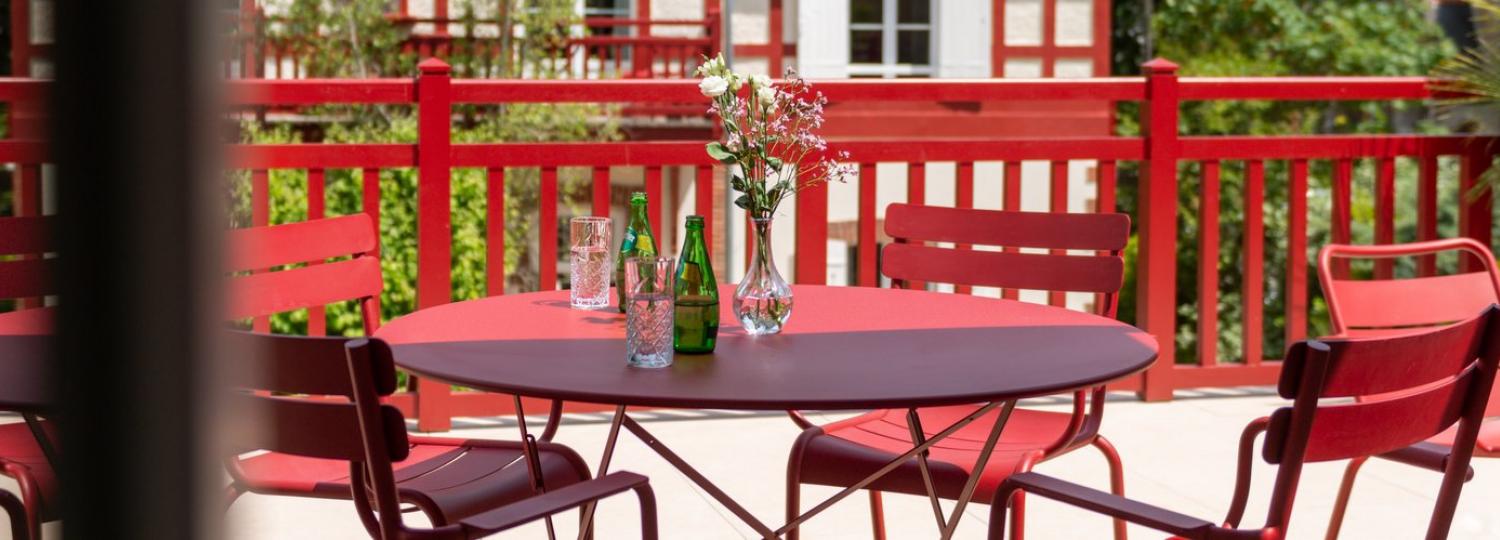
695, 328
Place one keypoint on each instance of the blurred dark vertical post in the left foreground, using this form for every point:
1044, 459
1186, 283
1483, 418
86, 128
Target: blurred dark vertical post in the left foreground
140, 206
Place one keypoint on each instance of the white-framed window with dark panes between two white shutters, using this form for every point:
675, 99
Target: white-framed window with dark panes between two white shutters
890, 38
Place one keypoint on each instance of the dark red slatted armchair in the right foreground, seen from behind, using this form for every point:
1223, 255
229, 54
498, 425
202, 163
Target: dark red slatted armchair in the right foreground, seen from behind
1430, 382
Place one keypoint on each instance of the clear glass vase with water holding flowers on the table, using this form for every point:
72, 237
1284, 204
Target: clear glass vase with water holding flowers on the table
763, 301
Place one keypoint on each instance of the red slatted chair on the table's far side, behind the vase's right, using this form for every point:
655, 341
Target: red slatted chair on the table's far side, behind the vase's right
845, 452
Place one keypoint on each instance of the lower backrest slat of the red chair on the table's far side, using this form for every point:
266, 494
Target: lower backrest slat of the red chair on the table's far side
1006, 271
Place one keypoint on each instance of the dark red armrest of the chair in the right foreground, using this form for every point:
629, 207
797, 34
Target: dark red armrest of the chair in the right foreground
1106, 503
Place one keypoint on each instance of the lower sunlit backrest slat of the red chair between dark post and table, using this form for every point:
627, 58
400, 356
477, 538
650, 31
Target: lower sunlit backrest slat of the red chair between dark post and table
316, 286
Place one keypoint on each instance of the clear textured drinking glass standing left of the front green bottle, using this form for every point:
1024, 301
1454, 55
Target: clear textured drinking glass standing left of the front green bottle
649, 311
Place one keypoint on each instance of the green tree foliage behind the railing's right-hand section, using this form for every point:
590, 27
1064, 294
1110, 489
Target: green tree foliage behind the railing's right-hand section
1265, 38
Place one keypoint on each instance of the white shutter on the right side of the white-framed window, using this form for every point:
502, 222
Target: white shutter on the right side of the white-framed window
964, 35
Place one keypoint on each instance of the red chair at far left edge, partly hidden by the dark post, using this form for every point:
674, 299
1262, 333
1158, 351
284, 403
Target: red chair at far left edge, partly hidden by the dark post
22, 457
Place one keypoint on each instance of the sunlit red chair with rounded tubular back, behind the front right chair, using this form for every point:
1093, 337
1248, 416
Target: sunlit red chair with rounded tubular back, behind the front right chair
1391, 307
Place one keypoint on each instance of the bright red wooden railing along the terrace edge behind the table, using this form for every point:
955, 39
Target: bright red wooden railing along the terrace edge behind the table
1160, 152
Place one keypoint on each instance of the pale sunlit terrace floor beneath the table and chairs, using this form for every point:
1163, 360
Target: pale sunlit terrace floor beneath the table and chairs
1178, 455
